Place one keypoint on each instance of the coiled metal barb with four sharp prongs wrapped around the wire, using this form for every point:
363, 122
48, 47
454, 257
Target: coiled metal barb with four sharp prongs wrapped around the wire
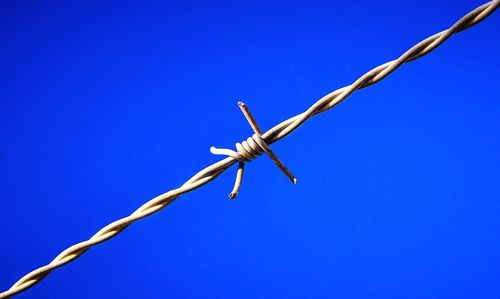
250, 149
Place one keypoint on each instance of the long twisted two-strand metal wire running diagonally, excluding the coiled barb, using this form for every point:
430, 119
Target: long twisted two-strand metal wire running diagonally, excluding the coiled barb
274, 134
